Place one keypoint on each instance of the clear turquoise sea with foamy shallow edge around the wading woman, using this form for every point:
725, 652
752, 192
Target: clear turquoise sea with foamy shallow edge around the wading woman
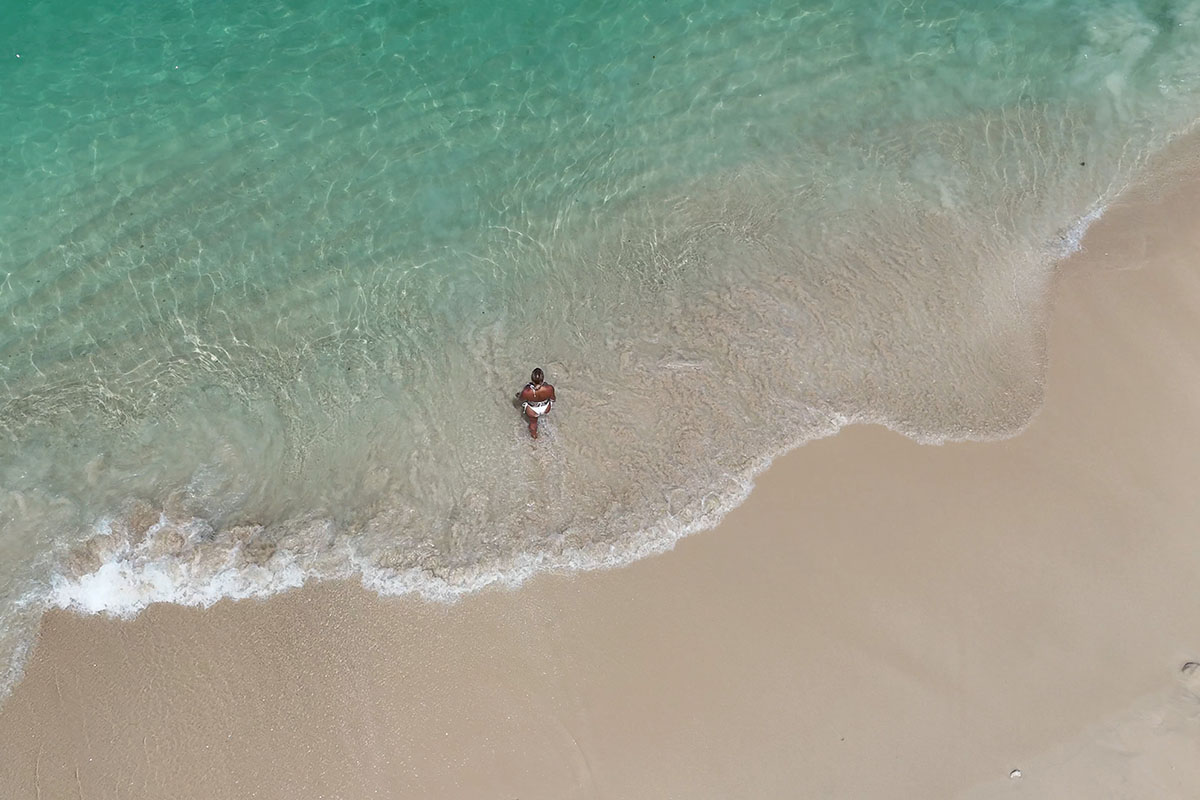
272, 272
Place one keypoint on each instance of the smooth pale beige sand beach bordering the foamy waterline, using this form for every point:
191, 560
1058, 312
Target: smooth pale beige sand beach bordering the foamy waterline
879, 621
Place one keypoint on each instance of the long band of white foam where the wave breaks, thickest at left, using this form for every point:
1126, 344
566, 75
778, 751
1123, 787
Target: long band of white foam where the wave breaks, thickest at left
206, 567
